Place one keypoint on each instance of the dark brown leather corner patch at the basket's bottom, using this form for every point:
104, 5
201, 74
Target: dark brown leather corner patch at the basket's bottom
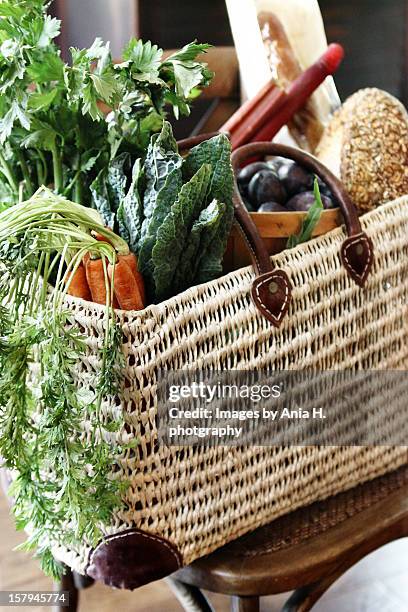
132, 558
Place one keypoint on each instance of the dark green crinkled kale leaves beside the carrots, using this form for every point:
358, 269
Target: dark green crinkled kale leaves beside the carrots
177, 213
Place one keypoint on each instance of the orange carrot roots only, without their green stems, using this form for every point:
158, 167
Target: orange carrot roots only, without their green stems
88, 282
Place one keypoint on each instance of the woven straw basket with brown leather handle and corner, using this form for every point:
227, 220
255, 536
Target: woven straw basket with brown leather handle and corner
183, 503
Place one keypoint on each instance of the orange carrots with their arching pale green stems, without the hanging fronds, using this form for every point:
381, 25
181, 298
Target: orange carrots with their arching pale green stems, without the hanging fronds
98, 264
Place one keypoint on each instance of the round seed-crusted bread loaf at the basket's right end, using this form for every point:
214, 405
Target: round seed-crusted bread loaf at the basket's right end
366, 146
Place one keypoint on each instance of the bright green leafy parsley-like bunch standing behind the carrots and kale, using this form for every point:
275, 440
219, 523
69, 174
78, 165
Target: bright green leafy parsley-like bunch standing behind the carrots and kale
62, 124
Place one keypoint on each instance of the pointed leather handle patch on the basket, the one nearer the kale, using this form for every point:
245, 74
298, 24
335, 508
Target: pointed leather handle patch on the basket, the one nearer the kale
272, 294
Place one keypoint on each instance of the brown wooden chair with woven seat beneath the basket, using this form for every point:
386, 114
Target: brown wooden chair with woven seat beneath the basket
304, 552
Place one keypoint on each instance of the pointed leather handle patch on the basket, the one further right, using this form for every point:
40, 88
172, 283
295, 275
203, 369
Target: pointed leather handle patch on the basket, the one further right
358, 256
